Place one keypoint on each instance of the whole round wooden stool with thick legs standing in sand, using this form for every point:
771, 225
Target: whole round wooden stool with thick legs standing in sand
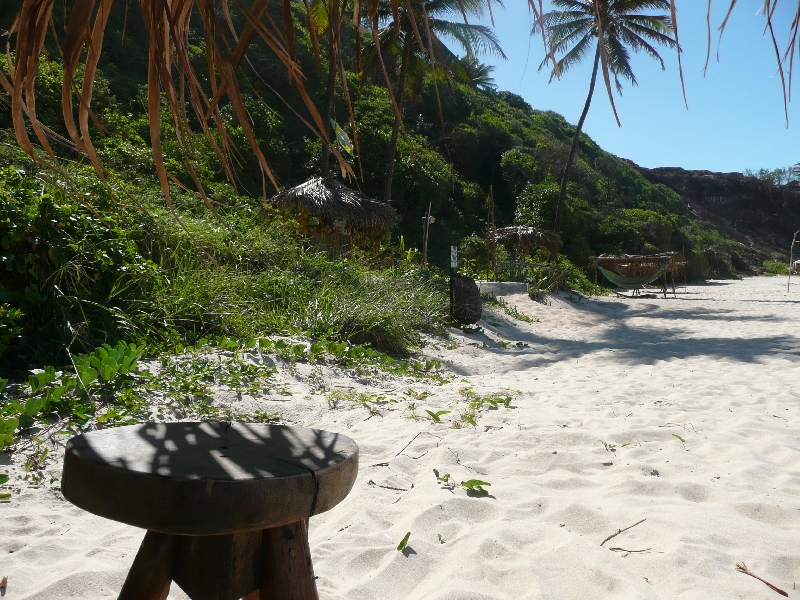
226, 506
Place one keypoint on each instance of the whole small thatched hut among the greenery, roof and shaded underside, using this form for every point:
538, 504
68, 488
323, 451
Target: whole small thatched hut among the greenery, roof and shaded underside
334, 215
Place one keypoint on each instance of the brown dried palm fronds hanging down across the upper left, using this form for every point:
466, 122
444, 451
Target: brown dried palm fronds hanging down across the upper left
172, 80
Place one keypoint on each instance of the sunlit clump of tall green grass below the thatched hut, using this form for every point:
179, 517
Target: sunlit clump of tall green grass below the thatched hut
262, 280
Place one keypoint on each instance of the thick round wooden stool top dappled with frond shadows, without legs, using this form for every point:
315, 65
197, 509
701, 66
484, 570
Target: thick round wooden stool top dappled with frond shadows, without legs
208, 478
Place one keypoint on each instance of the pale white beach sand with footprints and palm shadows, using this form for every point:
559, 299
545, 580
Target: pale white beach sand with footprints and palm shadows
718, 366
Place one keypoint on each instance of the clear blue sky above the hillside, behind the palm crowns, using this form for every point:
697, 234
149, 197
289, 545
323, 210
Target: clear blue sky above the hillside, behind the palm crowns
735, 119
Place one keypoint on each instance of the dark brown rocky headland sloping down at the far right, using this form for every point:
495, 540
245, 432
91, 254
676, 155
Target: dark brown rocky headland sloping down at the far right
759, 215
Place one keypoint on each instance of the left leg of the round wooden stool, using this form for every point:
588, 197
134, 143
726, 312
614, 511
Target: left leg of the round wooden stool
151, 573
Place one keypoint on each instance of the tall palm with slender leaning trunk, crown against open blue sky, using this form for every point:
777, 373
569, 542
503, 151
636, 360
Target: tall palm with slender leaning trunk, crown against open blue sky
620, 25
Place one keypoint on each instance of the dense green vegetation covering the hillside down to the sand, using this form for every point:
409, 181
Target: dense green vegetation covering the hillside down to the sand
86, 264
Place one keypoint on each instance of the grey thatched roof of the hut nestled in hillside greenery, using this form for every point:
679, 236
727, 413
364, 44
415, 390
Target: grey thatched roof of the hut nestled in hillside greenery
332, 201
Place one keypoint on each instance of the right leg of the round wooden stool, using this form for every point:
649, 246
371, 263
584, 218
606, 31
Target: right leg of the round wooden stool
288, 573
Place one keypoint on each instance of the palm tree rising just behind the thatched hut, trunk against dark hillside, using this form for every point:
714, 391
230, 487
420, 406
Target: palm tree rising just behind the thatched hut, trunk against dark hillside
414, 40
